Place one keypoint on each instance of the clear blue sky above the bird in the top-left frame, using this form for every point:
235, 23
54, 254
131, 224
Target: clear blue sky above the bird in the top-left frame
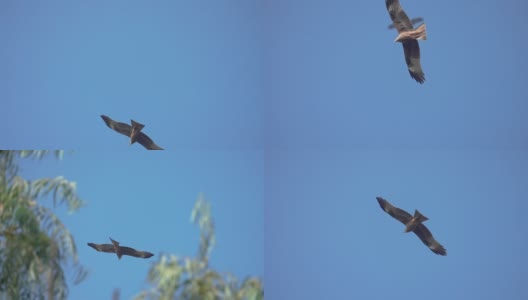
190, 72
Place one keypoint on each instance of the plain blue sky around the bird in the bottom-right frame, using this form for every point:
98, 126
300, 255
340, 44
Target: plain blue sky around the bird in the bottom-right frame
329, 238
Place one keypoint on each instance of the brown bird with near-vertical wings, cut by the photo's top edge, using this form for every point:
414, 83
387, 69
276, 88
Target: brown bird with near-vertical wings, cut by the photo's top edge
409, 38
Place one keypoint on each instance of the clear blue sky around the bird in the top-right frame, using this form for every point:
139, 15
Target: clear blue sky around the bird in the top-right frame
340, 80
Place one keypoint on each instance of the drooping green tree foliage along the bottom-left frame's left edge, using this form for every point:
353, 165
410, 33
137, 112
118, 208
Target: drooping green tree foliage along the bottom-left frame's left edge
35, 247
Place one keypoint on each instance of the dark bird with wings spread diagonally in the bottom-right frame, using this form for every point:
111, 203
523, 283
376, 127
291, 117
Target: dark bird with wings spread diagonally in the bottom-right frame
414, 224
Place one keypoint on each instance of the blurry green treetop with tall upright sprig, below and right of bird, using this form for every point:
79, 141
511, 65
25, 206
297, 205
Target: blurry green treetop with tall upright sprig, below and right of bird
191, 278
